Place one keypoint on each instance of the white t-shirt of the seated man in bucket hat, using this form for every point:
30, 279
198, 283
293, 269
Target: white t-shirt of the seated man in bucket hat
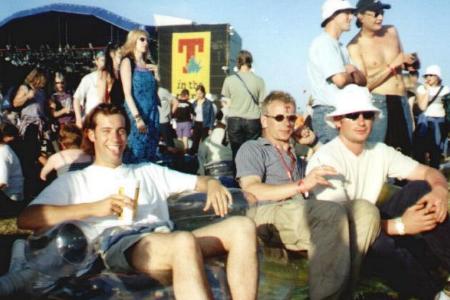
359, 176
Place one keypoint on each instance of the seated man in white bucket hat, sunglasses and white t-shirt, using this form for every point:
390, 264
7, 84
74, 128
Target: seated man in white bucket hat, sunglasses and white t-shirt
362, 168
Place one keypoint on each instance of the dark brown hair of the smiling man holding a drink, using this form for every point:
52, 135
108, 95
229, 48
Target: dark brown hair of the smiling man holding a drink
90, 122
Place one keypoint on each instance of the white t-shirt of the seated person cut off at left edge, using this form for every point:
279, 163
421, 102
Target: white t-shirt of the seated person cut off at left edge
11, 173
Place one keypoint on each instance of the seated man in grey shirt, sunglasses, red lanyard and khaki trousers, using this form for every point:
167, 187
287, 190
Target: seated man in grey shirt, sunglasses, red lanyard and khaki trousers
267, 168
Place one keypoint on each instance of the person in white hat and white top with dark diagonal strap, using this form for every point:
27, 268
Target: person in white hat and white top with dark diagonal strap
431, 130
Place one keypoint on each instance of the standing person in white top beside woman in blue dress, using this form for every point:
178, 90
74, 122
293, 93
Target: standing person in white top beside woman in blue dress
86, 96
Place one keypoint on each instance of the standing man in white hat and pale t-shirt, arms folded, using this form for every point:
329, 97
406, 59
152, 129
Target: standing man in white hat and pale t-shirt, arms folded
329, 67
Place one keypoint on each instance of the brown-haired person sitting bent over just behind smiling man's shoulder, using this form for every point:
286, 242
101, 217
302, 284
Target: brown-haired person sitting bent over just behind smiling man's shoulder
71, 157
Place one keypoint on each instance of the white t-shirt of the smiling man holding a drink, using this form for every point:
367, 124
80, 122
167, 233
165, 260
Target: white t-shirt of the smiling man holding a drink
95, 183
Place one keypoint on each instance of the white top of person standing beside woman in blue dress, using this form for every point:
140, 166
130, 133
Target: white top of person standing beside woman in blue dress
87, 89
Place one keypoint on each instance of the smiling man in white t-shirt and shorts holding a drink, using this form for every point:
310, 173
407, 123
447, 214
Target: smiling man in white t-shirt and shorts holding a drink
93, 195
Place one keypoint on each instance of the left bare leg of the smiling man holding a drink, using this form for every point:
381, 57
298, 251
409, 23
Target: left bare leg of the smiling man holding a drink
160, 253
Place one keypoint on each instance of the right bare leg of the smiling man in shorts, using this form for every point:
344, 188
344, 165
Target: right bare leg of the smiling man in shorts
237, 236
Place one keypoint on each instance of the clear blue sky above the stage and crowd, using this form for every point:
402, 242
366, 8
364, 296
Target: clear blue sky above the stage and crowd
278, 33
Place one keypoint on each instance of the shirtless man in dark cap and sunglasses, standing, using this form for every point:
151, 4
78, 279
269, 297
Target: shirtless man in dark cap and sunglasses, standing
377, 51
